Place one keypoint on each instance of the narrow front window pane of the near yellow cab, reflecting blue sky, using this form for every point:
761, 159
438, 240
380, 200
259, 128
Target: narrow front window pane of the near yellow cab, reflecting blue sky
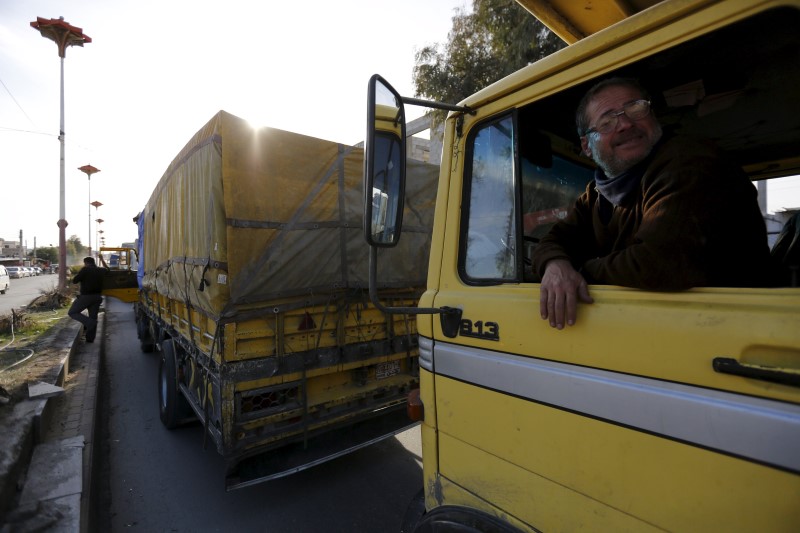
490, 239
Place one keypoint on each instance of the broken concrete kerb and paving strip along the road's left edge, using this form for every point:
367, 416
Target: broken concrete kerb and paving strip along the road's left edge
47, 449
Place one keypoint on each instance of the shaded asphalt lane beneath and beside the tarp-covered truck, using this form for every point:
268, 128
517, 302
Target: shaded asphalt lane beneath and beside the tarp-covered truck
154, 479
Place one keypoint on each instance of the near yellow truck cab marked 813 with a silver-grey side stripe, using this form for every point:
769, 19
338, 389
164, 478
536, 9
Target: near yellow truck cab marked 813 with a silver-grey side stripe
656, 411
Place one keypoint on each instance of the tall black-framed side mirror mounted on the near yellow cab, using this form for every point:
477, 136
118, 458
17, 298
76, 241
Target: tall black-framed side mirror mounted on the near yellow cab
384, 164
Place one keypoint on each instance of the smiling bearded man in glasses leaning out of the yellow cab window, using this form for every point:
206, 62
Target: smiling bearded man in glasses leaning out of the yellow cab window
664, 212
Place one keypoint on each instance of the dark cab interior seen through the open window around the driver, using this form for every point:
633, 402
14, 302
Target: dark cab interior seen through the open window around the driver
737, 86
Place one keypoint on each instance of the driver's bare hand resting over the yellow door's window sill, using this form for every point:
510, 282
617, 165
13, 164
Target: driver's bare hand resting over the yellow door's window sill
561, 288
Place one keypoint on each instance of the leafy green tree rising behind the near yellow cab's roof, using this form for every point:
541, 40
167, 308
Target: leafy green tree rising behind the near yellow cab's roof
499, 37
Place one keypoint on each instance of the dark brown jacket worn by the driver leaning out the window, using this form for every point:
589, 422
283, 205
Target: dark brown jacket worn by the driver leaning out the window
694, 222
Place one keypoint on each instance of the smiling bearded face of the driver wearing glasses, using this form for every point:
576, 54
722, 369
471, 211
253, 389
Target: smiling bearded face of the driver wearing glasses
629, 142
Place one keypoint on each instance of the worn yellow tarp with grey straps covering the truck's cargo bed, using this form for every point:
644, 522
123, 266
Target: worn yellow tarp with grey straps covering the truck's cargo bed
244, 217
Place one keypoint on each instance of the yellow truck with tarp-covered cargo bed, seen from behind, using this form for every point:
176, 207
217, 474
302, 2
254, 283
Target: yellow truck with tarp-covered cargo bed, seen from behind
253, 287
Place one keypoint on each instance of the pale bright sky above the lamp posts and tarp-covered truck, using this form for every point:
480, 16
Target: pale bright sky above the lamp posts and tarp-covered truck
156, 71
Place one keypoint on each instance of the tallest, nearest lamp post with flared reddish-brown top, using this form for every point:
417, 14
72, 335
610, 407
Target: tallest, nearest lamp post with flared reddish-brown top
64, 35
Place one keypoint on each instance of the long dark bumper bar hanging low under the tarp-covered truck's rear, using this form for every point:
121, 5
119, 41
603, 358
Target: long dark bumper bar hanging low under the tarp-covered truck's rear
296, 457
